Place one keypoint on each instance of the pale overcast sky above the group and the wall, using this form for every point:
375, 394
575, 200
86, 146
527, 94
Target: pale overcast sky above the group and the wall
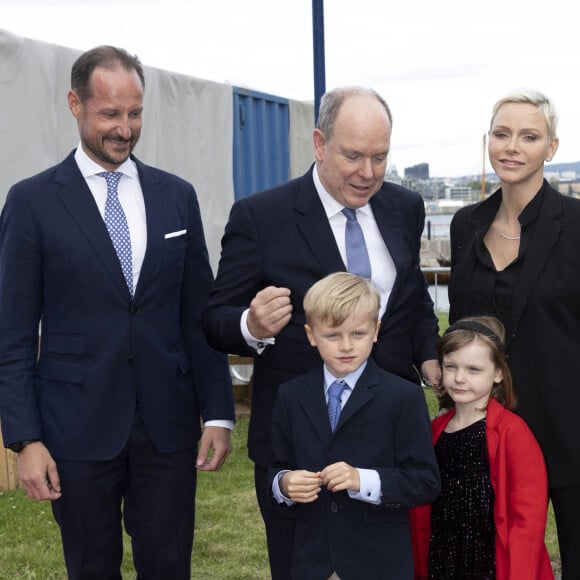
441, 64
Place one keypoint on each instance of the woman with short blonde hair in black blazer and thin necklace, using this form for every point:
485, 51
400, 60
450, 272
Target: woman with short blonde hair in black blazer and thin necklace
516, 256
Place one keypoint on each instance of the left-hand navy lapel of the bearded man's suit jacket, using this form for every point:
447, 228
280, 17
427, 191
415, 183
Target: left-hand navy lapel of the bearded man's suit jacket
77, 198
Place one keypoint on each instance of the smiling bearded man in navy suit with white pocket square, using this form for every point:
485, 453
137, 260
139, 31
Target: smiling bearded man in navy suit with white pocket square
105, 414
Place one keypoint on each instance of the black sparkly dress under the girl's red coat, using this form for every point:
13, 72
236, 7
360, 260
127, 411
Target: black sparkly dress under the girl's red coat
462, 527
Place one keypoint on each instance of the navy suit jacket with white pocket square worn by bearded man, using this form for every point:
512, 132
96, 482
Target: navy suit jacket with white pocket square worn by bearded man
101, 351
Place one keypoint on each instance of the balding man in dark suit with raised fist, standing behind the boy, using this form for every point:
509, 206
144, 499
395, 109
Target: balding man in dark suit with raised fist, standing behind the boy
279, 242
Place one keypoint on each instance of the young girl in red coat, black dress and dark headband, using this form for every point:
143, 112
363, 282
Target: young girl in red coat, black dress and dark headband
489, 521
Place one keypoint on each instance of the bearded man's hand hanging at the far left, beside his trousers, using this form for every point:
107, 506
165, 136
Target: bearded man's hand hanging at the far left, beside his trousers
37, 472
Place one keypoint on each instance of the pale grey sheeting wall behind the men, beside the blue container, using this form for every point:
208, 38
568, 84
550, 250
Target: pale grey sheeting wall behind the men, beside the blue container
187, 126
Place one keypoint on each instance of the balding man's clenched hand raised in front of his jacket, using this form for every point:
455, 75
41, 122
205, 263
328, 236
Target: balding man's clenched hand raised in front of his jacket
270, 312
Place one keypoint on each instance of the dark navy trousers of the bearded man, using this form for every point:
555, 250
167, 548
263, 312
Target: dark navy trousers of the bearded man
153, 492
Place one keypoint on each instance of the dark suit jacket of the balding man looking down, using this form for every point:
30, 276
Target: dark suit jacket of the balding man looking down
282, 237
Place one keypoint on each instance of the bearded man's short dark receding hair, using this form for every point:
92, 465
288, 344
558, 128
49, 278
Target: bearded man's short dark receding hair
108, 57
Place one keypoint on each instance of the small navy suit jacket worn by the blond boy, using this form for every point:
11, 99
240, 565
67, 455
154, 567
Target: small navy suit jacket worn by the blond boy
383, 426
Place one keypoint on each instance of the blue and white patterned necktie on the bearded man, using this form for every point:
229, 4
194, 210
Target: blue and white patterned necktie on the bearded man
116, 223
